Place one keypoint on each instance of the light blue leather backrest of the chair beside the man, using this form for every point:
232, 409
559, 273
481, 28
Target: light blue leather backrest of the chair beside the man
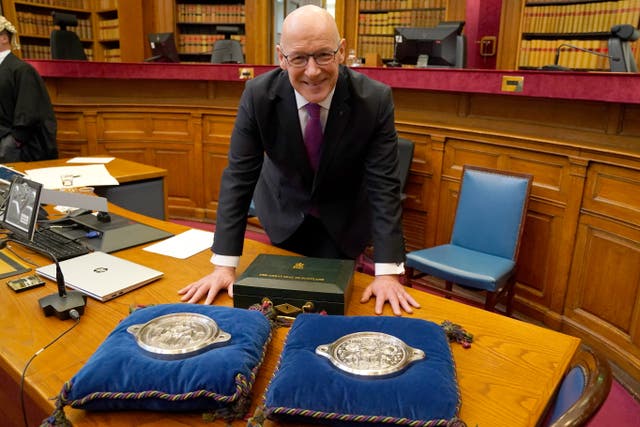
492, 206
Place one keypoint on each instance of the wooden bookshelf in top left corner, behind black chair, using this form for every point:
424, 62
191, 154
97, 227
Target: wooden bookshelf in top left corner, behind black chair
100, 26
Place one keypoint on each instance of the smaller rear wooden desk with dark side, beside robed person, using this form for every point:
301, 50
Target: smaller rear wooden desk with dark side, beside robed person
142, 187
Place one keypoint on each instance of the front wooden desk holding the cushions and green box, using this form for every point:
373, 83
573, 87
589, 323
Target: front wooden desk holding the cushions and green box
506, 378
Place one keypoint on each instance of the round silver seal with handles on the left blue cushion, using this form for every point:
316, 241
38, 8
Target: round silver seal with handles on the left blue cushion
178, 335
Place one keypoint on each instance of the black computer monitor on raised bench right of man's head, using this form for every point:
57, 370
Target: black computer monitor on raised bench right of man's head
444, 45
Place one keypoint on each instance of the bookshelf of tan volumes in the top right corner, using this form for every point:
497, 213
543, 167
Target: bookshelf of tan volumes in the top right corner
585, 24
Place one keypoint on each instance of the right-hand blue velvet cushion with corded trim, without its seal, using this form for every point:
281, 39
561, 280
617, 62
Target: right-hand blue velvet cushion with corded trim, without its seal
308, 388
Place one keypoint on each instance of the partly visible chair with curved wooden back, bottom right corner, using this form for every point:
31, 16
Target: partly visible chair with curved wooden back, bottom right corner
583, 390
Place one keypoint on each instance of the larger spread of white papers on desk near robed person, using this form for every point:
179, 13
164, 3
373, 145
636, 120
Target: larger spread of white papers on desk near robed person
80, 176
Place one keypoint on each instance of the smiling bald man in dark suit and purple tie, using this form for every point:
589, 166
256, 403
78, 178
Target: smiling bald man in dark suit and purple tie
330, 204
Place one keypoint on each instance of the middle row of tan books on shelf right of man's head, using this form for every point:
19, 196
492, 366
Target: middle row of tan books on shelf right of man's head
384, 23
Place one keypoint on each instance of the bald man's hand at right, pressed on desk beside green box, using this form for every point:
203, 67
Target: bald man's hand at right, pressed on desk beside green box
388, 288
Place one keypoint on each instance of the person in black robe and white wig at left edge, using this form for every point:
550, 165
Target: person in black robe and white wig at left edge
27, 121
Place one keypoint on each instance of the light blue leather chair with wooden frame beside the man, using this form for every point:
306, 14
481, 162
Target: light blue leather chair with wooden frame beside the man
483, 250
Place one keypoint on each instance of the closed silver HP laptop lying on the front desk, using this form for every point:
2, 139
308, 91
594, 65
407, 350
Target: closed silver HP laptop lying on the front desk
100, 275
